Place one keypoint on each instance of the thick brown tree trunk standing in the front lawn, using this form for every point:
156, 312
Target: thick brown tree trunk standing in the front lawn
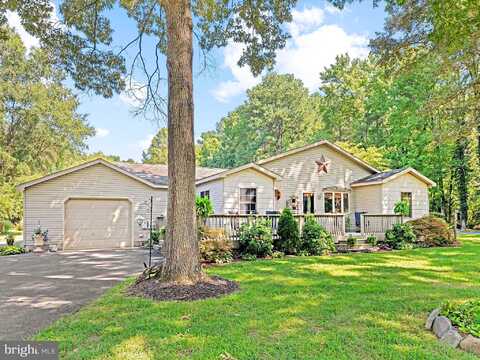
181, 249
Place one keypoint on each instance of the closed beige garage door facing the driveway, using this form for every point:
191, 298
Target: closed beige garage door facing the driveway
97, 224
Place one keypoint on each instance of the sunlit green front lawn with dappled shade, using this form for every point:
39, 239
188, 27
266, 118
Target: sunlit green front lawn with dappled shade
358, 306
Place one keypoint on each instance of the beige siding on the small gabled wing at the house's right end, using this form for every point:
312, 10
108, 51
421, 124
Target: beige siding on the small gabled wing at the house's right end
406, 183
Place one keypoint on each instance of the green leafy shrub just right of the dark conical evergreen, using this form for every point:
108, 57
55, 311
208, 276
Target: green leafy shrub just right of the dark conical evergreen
315, 239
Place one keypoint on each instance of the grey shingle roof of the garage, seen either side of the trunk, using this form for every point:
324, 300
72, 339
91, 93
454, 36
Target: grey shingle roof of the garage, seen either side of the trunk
158, 174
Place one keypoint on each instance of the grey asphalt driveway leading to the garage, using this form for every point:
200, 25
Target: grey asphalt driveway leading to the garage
35, 290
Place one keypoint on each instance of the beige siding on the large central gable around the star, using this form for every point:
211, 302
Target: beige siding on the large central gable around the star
299, 174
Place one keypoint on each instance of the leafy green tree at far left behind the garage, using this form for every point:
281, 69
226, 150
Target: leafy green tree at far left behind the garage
40, 127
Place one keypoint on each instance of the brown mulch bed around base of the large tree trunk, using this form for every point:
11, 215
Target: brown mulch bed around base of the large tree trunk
210, 287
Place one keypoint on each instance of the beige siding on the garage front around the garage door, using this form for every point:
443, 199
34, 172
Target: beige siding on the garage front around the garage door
44, 202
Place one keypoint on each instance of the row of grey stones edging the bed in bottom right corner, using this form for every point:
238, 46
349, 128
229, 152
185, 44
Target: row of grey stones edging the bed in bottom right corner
448, 334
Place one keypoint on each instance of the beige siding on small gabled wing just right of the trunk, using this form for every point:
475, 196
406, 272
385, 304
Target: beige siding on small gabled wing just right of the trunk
248, 178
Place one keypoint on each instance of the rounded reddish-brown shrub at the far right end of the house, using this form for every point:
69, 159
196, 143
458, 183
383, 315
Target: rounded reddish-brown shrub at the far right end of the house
432, 231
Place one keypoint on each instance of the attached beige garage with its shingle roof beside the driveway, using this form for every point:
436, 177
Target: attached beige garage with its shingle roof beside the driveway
97, 205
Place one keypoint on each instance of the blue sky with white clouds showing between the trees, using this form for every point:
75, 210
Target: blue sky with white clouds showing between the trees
319, 32
